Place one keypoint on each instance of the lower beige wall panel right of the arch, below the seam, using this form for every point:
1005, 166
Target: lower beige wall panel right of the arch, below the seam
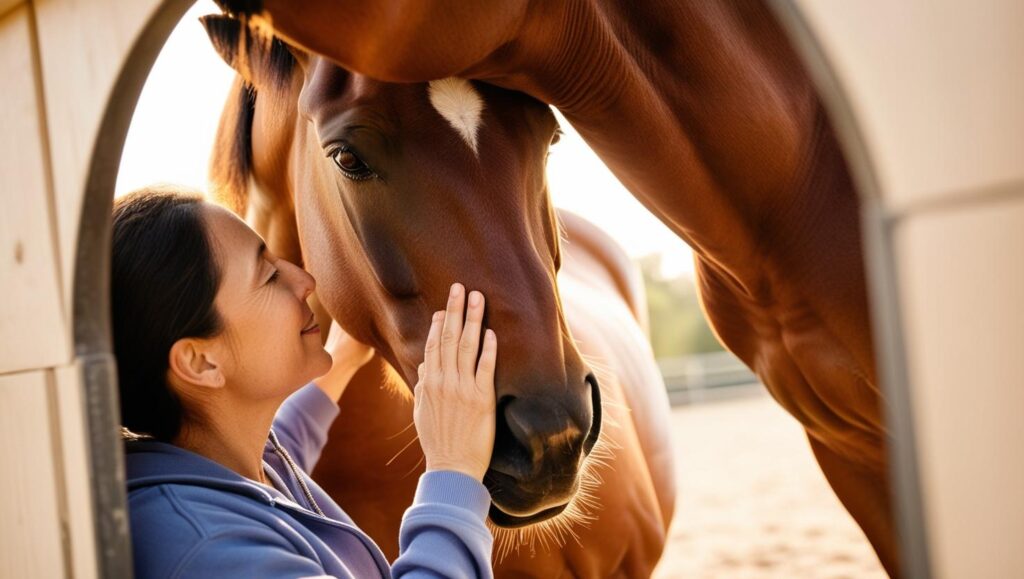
963, 284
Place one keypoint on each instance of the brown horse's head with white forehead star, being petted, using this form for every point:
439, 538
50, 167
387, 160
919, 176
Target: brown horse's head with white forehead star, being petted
399, 191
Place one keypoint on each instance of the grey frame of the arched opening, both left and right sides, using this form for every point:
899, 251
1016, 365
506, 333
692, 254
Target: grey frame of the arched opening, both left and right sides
92, 311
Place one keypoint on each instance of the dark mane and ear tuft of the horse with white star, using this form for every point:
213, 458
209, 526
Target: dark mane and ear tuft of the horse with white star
265, 63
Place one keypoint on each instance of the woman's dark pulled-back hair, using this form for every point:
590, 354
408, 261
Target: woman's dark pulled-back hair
163, 283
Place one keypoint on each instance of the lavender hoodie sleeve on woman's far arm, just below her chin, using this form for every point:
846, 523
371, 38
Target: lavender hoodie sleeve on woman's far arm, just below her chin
303, 425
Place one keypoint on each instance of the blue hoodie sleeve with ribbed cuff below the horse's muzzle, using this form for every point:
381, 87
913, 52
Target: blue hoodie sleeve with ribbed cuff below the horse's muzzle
443, 534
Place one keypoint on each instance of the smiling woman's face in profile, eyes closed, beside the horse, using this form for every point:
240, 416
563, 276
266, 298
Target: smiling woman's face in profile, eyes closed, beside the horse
271, 340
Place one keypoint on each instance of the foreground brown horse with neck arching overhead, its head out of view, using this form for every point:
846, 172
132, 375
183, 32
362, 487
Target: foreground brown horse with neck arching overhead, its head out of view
705, 112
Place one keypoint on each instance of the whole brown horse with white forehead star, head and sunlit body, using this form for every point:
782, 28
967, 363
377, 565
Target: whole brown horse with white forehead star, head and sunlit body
389, 193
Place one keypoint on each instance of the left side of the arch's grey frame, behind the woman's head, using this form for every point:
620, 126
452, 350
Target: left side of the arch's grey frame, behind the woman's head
92, 297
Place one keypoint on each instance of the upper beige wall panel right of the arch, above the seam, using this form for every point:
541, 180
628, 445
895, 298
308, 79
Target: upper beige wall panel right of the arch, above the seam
936, 90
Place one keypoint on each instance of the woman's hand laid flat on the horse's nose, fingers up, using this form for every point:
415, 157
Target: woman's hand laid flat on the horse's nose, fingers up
455, 396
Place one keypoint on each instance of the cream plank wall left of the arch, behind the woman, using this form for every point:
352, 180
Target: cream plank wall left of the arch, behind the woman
59, 63
